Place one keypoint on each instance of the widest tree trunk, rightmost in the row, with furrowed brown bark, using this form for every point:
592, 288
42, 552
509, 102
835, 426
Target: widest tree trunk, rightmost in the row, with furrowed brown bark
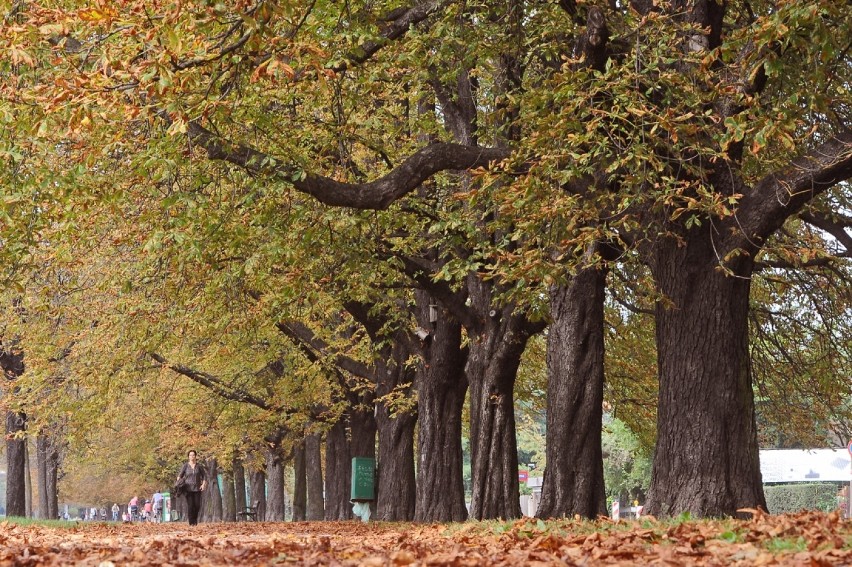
706, 460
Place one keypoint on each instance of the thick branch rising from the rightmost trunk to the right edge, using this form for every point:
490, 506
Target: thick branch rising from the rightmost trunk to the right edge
783, 193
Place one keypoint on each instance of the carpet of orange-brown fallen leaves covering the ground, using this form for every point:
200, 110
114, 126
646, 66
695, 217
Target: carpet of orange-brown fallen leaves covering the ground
808, 538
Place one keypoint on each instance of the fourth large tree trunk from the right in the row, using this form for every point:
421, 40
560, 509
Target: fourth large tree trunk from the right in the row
441, 388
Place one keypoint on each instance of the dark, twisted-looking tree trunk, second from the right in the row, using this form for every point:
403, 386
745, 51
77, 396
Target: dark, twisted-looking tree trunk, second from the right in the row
573, 478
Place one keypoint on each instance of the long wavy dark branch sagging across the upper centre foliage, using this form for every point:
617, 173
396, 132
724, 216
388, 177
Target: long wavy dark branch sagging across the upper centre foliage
378, 194
